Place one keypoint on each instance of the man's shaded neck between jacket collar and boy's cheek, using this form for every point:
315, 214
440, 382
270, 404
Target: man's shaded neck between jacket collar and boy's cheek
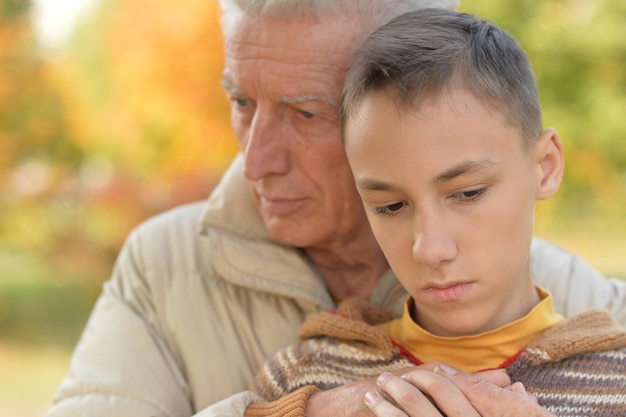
350, 270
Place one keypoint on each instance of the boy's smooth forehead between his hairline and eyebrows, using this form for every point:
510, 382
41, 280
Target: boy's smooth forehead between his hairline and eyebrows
380, 119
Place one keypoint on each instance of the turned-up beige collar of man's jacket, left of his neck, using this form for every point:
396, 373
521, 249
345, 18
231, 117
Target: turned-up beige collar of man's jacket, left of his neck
243, 253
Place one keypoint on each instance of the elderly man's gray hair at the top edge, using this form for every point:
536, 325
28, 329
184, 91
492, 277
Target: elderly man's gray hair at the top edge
376, 12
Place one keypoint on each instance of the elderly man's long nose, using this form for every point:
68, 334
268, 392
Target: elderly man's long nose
266, 147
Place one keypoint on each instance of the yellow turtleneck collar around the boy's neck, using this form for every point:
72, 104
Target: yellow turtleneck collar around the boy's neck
488, 350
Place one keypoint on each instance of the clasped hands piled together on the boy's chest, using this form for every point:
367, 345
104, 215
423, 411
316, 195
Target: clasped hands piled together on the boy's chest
429, 390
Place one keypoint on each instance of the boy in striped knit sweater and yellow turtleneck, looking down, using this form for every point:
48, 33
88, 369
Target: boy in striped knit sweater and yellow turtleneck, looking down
444, 136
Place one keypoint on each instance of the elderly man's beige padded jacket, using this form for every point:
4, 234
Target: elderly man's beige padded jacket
200, 297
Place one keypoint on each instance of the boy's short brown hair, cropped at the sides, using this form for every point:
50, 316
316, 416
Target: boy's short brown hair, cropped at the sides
420, 54
